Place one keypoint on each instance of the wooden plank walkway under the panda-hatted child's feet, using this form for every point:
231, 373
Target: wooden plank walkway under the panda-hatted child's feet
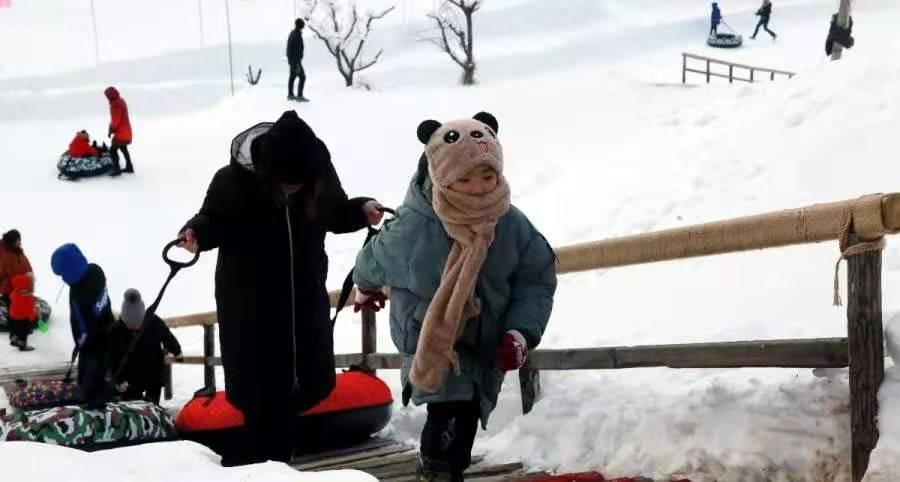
392, 461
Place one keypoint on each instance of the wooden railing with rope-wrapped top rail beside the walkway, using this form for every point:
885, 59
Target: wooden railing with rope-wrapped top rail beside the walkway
859, 222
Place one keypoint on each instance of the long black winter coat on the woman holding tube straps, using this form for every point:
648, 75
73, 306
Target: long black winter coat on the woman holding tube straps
273, 309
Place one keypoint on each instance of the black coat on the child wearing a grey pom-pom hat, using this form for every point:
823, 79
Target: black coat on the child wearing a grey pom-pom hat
144, 367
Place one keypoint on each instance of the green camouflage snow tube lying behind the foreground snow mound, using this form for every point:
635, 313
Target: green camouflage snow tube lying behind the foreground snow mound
77, 427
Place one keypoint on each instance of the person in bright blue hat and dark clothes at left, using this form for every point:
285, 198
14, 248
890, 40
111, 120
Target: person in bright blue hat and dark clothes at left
90, 317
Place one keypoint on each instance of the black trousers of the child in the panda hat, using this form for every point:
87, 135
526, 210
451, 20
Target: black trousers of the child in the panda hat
448, 437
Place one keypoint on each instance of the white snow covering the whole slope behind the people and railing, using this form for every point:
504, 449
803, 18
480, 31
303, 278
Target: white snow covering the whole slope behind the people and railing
601, 140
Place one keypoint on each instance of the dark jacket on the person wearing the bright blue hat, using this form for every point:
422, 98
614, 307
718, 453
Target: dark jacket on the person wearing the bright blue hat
90, 311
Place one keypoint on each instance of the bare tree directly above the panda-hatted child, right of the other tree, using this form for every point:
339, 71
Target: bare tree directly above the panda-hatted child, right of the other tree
453, 35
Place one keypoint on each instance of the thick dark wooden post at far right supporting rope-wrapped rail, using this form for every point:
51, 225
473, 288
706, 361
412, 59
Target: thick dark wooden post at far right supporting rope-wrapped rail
866, 350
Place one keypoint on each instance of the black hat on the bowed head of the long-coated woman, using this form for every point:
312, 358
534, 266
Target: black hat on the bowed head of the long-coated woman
289, 152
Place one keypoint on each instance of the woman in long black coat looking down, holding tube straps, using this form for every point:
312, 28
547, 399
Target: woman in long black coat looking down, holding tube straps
267, 212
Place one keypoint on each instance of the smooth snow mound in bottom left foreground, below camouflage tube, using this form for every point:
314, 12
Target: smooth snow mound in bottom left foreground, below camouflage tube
171, 461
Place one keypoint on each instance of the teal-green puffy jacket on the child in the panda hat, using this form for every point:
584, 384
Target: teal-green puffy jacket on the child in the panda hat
516, 286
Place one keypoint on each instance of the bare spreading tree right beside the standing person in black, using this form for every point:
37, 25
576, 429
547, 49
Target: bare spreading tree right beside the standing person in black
344, 31
